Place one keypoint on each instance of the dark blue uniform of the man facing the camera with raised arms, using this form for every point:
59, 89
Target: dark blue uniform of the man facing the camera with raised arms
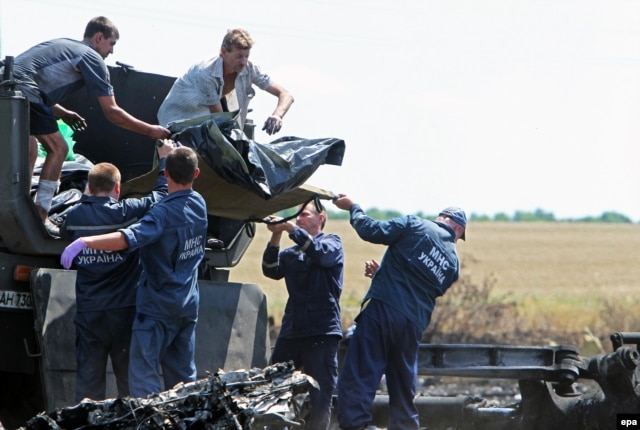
311, 325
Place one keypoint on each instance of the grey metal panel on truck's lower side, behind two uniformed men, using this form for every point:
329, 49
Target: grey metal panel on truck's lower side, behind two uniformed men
233, 315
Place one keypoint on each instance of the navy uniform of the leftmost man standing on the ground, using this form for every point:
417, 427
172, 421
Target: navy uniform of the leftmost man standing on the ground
105, 289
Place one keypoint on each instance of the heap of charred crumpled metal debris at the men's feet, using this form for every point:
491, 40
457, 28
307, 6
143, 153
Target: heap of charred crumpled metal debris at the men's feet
275, 395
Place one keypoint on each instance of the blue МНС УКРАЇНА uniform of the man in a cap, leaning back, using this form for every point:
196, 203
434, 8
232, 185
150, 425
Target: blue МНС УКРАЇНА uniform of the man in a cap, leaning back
420, 264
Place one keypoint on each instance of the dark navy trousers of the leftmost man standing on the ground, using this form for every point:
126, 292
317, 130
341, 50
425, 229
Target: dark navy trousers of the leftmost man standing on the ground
100, 335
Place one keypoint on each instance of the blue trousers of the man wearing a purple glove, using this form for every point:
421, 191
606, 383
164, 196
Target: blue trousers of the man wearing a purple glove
161, 346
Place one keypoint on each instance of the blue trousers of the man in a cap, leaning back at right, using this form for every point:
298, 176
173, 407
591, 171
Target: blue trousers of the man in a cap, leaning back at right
384, 342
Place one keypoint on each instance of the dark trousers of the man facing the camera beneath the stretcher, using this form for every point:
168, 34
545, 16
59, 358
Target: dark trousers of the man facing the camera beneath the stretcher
316, 356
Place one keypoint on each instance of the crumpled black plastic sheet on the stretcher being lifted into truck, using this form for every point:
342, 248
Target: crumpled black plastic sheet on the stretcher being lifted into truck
264, 169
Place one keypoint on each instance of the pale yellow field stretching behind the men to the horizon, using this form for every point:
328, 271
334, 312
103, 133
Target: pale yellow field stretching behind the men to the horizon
564, 275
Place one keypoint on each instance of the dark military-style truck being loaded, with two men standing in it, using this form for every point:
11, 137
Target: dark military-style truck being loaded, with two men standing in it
37, 297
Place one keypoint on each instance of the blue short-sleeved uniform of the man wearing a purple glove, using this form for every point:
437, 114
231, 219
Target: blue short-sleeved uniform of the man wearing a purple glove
171, 239
